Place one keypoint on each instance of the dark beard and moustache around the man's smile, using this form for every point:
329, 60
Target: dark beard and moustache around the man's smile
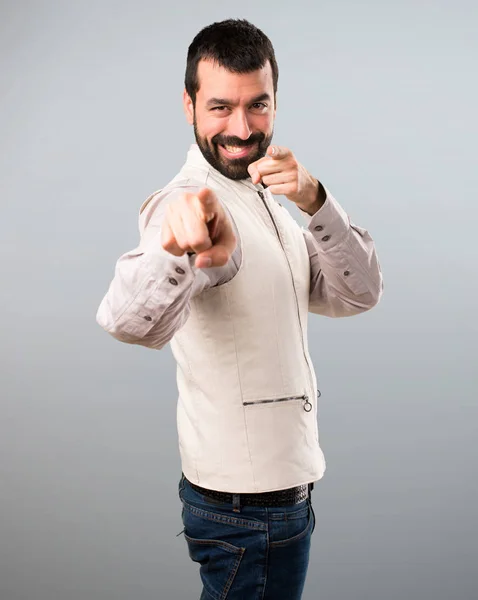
232, 168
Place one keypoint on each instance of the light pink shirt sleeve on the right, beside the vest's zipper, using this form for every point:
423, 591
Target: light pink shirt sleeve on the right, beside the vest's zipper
345, 274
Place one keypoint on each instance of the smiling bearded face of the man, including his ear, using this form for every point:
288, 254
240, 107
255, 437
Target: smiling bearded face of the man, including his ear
233, 117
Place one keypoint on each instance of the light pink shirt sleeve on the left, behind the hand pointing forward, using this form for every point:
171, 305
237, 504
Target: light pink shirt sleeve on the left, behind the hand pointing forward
148, 300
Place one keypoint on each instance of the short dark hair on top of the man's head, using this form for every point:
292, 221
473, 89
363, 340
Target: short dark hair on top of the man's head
234, 44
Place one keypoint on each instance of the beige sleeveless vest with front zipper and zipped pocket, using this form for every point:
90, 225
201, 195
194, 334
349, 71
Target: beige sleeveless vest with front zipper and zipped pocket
247, 407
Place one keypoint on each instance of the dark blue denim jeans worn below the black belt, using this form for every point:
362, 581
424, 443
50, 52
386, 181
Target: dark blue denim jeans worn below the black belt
260, 553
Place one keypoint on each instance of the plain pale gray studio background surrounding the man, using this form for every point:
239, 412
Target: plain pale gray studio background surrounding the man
378, 99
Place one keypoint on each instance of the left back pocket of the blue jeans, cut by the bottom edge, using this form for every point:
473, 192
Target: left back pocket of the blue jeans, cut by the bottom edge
219, 562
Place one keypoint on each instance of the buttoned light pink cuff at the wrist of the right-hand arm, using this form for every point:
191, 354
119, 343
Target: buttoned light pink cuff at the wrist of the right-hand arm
330, 224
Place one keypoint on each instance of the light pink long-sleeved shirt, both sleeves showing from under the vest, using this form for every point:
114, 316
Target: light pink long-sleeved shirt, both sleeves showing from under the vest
148, 298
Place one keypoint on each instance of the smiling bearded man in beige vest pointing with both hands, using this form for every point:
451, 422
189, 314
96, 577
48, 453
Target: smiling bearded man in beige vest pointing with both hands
224, 273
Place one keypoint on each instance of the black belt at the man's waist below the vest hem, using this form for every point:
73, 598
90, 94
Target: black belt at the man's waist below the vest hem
287, 497
